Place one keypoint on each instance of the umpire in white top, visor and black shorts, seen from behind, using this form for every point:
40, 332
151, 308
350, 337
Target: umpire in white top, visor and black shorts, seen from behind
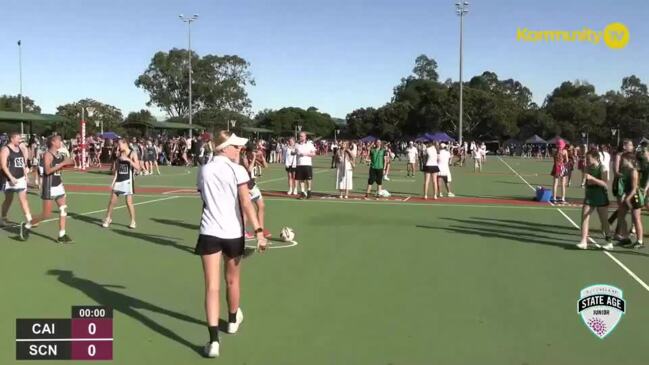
223, 186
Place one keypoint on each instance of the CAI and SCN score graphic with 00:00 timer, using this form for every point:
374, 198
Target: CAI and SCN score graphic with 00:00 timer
87, 336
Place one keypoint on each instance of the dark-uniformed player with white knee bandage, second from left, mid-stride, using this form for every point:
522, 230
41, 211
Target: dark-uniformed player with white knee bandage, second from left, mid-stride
52, 188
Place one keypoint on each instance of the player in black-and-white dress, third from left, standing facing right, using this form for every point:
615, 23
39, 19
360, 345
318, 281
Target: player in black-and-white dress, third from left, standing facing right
126, 165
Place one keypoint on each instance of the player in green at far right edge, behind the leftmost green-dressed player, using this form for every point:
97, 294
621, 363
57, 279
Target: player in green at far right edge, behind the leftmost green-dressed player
634, 200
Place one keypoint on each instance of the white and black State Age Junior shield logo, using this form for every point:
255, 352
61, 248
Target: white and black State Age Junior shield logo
601, 307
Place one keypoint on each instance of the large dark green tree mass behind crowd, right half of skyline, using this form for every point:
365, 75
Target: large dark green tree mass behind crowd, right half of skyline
497, 108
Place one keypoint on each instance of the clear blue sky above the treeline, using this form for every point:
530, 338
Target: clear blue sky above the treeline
336, 55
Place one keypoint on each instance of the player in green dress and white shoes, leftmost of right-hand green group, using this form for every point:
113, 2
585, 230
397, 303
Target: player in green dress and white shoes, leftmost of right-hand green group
596, 199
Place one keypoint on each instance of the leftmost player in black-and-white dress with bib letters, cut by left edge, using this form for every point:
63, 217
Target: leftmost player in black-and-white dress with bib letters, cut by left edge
13, 178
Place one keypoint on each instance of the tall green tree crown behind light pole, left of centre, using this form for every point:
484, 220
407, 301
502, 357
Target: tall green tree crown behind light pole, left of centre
219, 82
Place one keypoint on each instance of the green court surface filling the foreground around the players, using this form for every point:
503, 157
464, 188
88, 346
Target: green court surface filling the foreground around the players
457, 281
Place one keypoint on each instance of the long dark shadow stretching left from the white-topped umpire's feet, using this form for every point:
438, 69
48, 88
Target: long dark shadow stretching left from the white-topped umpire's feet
127, 305
